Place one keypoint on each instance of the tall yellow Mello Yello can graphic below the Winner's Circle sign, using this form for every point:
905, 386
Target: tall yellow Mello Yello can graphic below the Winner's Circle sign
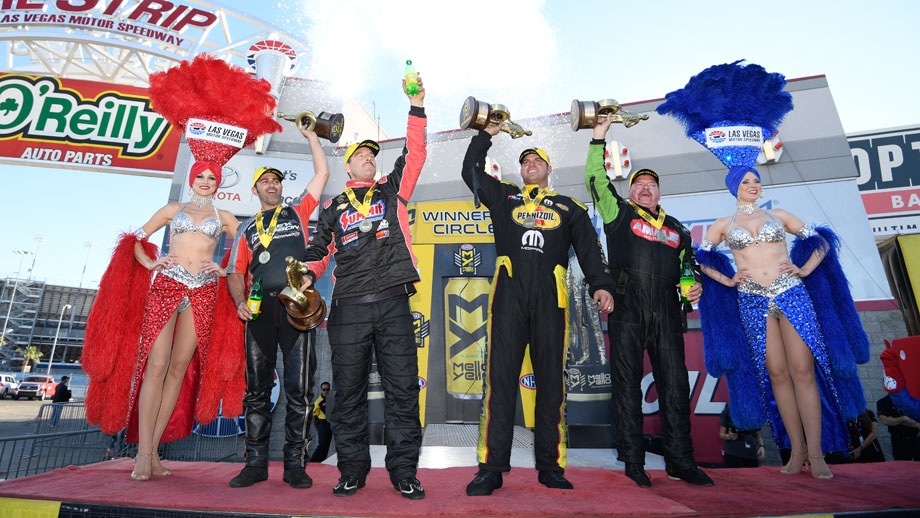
466, 319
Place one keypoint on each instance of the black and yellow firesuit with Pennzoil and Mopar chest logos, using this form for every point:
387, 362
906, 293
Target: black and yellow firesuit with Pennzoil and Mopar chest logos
529, 304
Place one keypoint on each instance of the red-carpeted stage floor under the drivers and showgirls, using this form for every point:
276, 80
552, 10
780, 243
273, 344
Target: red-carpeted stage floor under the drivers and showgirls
200, 489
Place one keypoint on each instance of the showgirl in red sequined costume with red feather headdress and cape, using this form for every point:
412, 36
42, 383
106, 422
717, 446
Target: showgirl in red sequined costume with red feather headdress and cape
161, 355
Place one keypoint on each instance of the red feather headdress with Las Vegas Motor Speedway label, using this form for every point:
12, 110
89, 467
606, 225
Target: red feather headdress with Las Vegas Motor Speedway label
209, 90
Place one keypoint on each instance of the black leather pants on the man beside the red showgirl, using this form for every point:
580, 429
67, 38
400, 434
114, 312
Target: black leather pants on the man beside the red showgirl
263, 338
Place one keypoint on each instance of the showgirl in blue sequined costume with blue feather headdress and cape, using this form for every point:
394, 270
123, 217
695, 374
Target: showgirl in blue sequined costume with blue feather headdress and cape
783, 330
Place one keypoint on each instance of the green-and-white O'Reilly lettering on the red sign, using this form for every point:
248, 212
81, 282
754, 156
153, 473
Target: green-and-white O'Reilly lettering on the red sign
42, 109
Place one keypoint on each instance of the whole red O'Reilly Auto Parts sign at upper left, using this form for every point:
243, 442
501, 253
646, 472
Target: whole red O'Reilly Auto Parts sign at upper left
85, 125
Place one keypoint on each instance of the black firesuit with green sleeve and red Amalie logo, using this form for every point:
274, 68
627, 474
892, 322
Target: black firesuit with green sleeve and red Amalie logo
645, 265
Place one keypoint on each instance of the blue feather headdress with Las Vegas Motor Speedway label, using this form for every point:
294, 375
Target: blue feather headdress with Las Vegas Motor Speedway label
730, 94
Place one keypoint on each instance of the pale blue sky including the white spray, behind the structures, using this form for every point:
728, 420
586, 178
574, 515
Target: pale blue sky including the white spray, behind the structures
533, 56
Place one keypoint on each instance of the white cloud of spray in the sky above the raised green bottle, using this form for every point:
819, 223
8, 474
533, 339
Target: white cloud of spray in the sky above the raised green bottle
499, 52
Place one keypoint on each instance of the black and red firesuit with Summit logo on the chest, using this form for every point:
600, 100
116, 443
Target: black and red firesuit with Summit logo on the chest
374, 276
